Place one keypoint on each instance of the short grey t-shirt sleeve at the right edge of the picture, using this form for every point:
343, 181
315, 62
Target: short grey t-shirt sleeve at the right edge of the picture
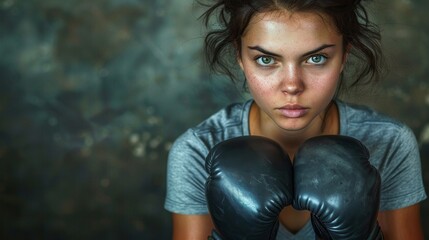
402, 183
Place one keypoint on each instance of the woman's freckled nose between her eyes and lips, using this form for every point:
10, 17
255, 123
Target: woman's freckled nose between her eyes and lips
292, 83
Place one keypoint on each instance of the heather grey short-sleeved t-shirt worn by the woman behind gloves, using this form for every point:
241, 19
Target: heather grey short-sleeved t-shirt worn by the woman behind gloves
392, 146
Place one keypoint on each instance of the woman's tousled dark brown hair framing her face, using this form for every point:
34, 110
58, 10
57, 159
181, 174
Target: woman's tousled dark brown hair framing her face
349, 16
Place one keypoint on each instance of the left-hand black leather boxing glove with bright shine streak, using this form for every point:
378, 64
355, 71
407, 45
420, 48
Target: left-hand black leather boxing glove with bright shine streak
250, 181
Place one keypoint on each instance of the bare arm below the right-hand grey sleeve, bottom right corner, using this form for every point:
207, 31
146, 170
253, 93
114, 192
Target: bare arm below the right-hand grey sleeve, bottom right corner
401, 223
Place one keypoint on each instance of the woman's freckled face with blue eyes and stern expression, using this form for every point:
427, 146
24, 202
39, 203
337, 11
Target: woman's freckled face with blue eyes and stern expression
292, 63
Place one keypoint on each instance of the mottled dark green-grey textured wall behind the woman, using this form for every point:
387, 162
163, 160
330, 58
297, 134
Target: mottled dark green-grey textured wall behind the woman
92, 94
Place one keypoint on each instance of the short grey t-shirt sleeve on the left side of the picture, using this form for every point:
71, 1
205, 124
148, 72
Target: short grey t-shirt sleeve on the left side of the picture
186, 176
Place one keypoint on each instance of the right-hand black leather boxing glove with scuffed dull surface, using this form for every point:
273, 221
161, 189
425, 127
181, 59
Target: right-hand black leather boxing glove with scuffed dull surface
334, 180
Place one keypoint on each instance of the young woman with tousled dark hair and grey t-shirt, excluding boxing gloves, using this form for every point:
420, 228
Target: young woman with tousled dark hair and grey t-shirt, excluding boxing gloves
293, 54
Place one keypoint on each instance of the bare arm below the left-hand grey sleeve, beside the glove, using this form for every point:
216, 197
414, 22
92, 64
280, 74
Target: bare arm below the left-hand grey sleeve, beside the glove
191, 227
